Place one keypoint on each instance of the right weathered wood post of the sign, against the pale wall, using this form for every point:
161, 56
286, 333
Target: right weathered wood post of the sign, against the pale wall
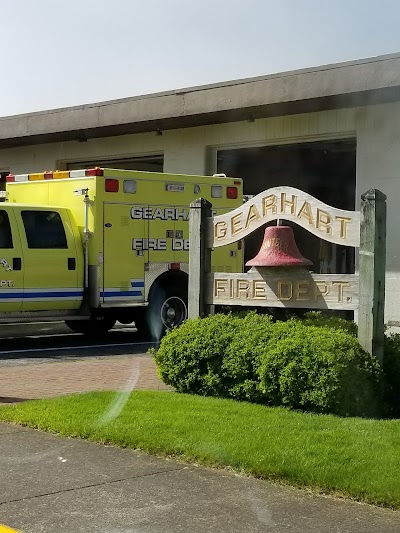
372, 266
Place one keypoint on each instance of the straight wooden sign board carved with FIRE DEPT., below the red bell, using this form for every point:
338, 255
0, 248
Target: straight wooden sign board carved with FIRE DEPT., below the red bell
266, 287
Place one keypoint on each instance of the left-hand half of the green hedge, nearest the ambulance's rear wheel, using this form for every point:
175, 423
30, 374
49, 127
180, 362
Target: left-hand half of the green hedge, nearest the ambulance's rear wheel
214, 356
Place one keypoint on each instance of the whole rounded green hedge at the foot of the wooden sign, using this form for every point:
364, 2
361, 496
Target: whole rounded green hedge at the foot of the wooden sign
314, 364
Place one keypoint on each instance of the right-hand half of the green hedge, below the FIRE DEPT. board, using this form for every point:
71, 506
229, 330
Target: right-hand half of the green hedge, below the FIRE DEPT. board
319, 369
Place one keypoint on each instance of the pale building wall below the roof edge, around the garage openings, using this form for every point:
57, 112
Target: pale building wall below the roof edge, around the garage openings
193, 151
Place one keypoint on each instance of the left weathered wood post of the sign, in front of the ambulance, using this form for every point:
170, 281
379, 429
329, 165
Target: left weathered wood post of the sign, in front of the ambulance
199, 256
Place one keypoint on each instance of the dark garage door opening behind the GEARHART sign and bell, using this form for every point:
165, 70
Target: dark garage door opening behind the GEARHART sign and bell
326, 170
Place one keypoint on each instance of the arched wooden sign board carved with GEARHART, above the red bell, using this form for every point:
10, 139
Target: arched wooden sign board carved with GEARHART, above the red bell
287, 203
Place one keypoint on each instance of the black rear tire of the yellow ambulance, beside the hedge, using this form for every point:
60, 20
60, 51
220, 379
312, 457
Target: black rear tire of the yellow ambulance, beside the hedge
167, 309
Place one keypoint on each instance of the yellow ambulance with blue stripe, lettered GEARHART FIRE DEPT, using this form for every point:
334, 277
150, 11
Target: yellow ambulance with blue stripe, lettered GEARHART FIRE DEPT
99, 245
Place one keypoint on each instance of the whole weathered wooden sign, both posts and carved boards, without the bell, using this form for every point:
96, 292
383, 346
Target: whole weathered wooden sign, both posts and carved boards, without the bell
287, 287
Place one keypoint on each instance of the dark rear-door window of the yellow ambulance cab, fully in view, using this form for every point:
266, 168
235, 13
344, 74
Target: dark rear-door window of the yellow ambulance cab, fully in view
44, 229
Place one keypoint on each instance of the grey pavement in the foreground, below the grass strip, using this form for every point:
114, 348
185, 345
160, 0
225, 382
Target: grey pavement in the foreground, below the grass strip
50, 484
